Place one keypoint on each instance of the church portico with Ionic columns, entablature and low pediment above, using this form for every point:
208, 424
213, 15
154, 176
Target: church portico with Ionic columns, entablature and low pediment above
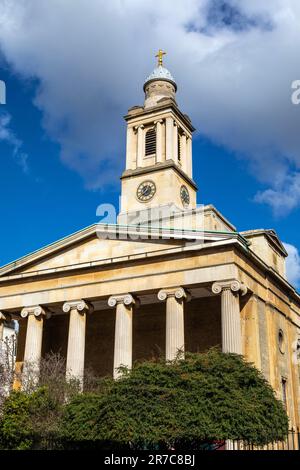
103, 315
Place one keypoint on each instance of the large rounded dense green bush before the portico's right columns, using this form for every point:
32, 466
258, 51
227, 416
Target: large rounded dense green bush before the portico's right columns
179, 405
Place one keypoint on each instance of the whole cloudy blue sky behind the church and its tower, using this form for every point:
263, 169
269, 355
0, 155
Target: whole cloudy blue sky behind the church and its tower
66, 143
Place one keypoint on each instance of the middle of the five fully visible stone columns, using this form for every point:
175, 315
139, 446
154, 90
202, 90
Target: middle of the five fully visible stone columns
123, 331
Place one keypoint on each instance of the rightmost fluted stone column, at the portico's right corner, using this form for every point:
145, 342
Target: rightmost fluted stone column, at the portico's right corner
230, 314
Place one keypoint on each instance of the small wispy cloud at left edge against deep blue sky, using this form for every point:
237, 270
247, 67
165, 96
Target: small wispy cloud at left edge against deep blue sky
8, 136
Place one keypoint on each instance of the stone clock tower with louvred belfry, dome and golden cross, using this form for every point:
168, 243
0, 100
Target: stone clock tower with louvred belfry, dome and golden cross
158, 170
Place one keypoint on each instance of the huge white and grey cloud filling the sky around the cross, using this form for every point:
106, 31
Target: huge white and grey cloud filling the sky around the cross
234, 67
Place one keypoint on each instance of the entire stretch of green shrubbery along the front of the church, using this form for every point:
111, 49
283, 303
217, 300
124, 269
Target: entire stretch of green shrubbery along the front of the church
179, 405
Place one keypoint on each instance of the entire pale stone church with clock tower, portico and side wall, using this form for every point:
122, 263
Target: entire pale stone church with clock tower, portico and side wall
112, 294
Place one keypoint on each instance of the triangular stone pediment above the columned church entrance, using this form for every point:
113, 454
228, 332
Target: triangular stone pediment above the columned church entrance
101, 244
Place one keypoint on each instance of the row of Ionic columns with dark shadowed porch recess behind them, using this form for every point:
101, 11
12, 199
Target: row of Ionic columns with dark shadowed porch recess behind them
129, 312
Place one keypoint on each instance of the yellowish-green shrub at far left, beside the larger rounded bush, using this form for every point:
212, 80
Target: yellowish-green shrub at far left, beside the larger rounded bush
31, 418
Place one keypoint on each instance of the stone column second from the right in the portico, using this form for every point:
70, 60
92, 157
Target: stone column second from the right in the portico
174, 320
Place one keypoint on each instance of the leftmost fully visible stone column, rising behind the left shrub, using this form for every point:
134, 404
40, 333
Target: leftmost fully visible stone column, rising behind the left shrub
34, 337
